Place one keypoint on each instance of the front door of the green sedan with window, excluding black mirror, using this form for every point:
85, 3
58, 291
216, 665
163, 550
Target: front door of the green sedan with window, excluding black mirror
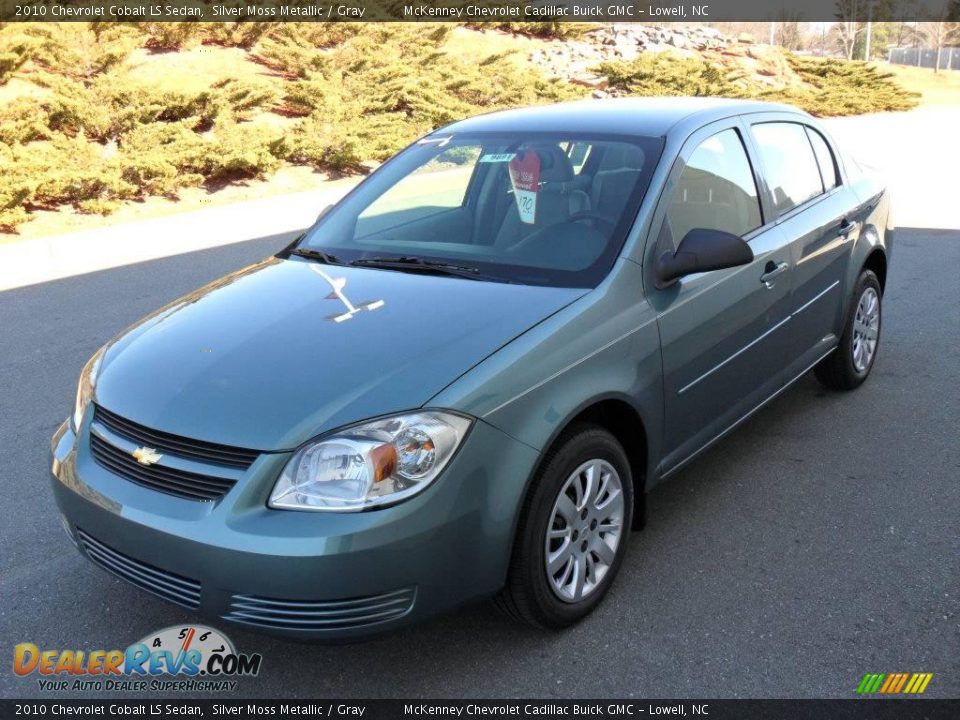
723, 333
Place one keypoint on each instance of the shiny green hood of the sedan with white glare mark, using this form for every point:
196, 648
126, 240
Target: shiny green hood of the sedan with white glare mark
274, 354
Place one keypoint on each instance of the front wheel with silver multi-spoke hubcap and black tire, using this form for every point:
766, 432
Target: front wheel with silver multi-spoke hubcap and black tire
573, 531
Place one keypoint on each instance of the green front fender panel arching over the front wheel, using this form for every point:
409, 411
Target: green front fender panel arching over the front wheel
606, 345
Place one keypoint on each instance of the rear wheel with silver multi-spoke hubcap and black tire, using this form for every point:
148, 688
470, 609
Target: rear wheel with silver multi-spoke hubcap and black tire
849, 365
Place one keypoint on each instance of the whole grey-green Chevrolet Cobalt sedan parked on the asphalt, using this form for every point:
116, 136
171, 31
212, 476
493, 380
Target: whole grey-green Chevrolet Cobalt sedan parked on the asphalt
463, 379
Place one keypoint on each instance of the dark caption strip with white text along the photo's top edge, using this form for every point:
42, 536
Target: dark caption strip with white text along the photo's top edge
656, 11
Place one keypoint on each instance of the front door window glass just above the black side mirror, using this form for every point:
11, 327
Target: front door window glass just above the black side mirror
716, 190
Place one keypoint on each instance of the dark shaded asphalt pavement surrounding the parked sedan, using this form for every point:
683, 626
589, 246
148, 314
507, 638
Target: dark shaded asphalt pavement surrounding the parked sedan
818, 542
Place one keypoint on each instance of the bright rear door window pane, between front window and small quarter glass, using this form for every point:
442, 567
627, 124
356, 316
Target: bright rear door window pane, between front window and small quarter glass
788, 162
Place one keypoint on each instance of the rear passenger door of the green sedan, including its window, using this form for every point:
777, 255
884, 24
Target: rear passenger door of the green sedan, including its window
816, 212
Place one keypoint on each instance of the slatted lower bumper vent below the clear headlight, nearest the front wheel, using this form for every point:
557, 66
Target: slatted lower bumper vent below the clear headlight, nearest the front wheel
328, 615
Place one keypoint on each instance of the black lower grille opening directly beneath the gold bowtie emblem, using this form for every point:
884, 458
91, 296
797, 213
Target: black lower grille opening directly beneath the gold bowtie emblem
181, 483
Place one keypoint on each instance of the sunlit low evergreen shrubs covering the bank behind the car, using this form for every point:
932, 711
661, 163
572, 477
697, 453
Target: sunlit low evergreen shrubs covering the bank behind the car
94, 115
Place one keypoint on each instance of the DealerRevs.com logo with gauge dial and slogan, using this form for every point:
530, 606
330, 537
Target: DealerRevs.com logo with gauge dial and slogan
191, 658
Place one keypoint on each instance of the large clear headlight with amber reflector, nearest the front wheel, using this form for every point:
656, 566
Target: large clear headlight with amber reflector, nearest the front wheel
369, 465
